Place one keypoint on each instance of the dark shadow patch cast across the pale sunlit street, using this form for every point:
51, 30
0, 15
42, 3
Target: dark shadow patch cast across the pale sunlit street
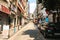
33, 34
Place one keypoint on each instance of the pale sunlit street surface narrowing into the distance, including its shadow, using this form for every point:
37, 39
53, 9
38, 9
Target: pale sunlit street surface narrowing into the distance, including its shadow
28, 32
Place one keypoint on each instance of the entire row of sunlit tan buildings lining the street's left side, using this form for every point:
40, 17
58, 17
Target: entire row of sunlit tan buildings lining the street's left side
12, 12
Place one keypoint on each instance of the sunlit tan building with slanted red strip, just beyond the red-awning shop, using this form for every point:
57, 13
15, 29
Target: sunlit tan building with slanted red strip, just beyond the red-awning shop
18, 13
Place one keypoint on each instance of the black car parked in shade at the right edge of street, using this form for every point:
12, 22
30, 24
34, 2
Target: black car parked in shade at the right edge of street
51, 29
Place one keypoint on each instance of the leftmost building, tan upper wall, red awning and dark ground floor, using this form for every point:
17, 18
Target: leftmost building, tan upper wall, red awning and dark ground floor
4, 13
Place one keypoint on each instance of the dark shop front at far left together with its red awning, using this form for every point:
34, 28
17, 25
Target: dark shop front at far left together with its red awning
4, 17
